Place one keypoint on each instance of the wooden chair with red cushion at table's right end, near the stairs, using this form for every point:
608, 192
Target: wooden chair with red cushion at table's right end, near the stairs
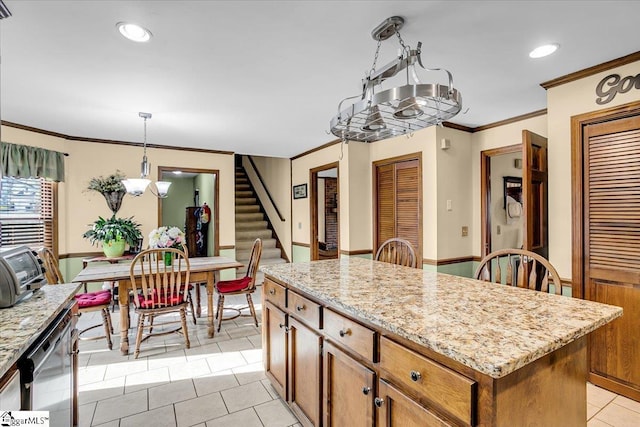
244, 286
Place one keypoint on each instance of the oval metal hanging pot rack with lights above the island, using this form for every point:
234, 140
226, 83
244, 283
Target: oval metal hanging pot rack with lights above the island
399, 110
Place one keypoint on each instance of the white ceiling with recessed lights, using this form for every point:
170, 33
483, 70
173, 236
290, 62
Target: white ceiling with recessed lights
265, 77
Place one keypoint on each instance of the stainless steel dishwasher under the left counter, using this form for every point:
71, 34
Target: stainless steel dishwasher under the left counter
47, 372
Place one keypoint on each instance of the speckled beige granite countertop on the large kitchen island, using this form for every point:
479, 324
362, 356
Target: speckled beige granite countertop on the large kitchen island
494, 329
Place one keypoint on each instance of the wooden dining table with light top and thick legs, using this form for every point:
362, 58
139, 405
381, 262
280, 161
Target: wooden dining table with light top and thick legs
201, 270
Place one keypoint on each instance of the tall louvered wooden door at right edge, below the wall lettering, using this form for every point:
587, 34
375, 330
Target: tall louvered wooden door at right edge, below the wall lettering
611, 198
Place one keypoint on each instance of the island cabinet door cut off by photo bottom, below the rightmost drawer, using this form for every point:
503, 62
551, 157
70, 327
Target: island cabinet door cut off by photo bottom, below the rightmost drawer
395, 409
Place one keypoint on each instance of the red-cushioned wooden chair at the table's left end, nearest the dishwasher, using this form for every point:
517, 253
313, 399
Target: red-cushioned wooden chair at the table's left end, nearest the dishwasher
87, 301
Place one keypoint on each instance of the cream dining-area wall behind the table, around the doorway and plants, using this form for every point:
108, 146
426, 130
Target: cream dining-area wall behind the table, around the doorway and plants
79, 207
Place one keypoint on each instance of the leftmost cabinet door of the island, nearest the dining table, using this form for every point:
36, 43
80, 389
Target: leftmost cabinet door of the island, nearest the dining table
275, 347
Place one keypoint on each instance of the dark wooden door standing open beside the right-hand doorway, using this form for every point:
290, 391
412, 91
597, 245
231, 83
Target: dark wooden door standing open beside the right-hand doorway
534, 193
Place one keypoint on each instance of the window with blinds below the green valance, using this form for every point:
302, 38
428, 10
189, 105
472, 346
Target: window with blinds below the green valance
27, 212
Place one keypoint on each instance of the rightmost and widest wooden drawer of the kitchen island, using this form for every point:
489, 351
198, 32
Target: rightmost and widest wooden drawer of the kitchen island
443, 388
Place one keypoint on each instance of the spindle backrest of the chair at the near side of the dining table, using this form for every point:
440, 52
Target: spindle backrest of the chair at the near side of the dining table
156, 284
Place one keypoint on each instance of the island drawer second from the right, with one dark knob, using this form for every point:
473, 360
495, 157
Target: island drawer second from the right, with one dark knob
350, 334
